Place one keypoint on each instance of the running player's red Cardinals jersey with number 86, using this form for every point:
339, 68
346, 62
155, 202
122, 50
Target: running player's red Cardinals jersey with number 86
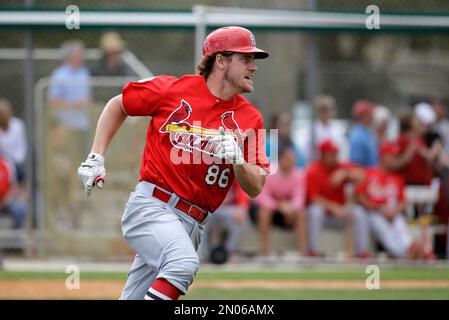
185, 117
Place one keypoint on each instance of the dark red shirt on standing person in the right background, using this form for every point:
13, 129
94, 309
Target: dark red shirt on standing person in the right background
417, 170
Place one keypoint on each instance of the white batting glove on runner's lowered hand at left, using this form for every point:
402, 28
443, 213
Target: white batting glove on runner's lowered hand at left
92, 172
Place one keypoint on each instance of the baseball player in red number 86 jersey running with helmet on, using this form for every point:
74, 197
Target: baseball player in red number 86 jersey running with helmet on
203, 134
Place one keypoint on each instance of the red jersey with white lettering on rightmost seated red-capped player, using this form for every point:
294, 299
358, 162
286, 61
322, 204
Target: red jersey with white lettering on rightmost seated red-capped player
382, 187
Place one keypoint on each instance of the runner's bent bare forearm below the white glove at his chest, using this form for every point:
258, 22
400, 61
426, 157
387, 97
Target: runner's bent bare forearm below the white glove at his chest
250, 178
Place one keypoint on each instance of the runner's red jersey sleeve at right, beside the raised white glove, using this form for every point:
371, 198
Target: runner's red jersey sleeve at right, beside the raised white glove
254, 147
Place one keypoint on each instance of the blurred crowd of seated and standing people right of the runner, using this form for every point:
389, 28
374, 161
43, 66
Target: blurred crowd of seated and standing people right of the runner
369, 193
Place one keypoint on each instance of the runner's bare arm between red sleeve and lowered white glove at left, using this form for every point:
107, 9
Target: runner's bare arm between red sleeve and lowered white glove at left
110, 121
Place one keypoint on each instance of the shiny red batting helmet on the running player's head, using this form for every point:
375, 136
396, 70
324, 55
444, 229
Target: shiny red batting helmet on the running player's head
233, 39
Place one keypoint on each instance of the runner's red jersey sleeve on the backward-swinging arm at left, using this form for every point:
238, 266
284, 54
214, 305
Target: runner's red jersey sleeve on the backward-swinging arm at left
142, 98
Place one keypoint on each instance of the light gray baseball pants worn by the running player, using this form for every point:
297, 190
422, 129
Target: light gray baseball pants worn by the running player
165, 240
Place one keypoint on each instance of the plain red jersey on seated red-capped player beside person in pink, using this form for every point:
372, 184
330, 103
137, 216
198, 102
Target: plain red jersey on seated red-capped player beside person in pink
318, 182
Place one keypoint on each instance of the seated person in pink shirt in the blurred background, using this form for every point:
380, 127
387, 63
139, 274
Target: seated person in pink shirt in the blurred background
282, 201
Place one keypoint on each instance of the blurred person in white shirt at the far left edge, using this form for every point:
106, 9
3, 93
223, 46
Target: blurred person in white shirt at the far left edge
13, 140
